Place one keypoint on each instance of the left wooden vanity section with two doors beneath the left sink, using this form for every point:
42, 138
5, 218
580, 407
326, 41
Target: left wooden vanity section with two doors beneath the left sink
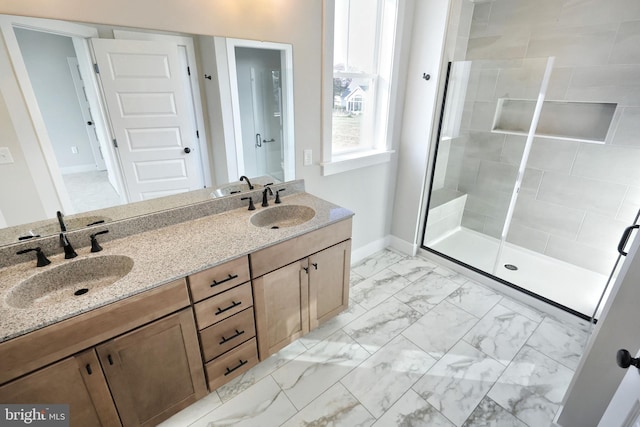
131, 363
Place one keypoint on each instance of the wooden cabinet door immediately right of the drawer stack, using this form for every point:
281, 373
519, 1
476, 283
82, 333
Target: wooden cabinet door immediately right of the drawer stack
281, 302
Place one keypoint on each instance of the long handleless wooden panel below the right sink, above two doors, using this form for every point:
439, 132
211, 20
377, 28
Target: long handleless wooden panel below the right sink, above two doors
281, 254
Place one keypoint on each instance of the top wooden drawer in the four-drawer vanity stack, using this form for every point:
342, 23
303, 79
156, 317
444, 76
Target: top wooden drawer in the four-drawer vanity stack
218, 279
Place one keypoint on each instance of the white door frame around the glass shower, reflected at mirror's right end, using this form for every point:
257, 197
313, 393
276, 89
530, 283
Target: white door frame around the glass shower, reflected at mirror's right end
226, 63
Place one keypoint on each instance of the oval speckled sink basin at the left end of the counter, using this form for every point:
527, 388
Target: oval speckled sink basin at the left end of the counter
70, 280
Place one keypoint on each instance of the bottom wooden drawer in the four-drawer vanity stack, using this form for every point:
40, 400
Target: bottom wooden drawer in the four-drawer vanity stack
231, 364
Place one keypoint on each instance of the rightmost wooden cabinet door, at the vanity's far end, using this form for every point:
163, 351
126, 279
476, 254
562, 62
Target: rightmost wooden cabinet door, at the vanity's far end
329, 282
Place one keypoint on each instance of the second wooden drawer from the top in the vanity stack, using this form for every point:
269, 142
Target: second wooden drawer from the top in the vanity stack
222, 306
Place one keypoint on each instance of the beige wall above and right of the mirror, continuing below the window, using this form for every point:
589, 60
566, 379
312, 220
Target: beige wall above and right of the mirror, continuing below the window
286, 21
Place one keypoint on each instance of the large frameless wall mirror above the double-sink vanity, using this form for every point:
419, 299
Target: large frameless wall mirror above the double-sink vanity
105, 123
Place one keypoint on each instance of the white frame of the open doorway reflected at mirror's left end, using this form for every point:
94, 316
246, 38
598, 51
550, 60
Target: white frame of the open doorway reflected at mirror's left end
79, 35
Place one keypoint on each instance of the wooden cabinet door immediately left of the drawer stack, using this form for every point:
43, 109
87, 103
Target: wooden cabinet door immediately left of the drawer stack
154, 371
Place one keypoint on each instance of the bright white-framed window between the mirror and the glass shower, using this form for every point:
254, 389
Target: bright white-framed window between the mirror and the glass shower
364, 36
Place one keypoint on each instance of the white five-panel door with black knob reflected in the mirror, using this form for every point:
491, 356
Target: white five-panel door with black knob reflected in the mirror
150, 116
